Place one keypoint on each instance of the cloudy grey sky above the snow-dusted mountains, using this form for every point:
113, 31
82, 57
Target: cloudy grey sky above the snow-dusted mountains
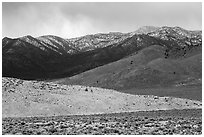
76, 19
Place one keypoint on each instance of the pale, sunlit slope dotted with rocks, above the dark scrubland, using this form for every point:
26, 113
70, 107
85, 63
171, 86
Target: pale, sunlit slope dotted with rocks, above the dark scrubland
31, 98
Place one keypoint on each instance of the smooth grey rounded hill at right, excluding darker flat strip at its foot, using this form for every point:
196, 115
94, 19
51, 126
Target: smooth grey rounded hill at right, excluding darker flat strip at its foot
147, 68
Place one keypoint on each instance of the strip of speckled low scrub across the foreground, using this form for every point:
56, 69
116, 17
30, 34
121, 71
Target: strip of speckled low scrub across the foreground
171, 122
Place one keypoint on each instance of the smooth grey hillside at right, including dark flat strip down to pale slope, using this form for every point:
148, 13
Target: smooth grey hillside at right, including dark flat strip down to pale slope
148, 69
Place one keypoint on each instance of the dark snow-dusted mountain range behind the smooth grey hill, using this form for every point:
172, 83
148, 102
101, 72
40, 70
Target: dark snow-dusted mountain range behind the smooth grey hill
49, 57
